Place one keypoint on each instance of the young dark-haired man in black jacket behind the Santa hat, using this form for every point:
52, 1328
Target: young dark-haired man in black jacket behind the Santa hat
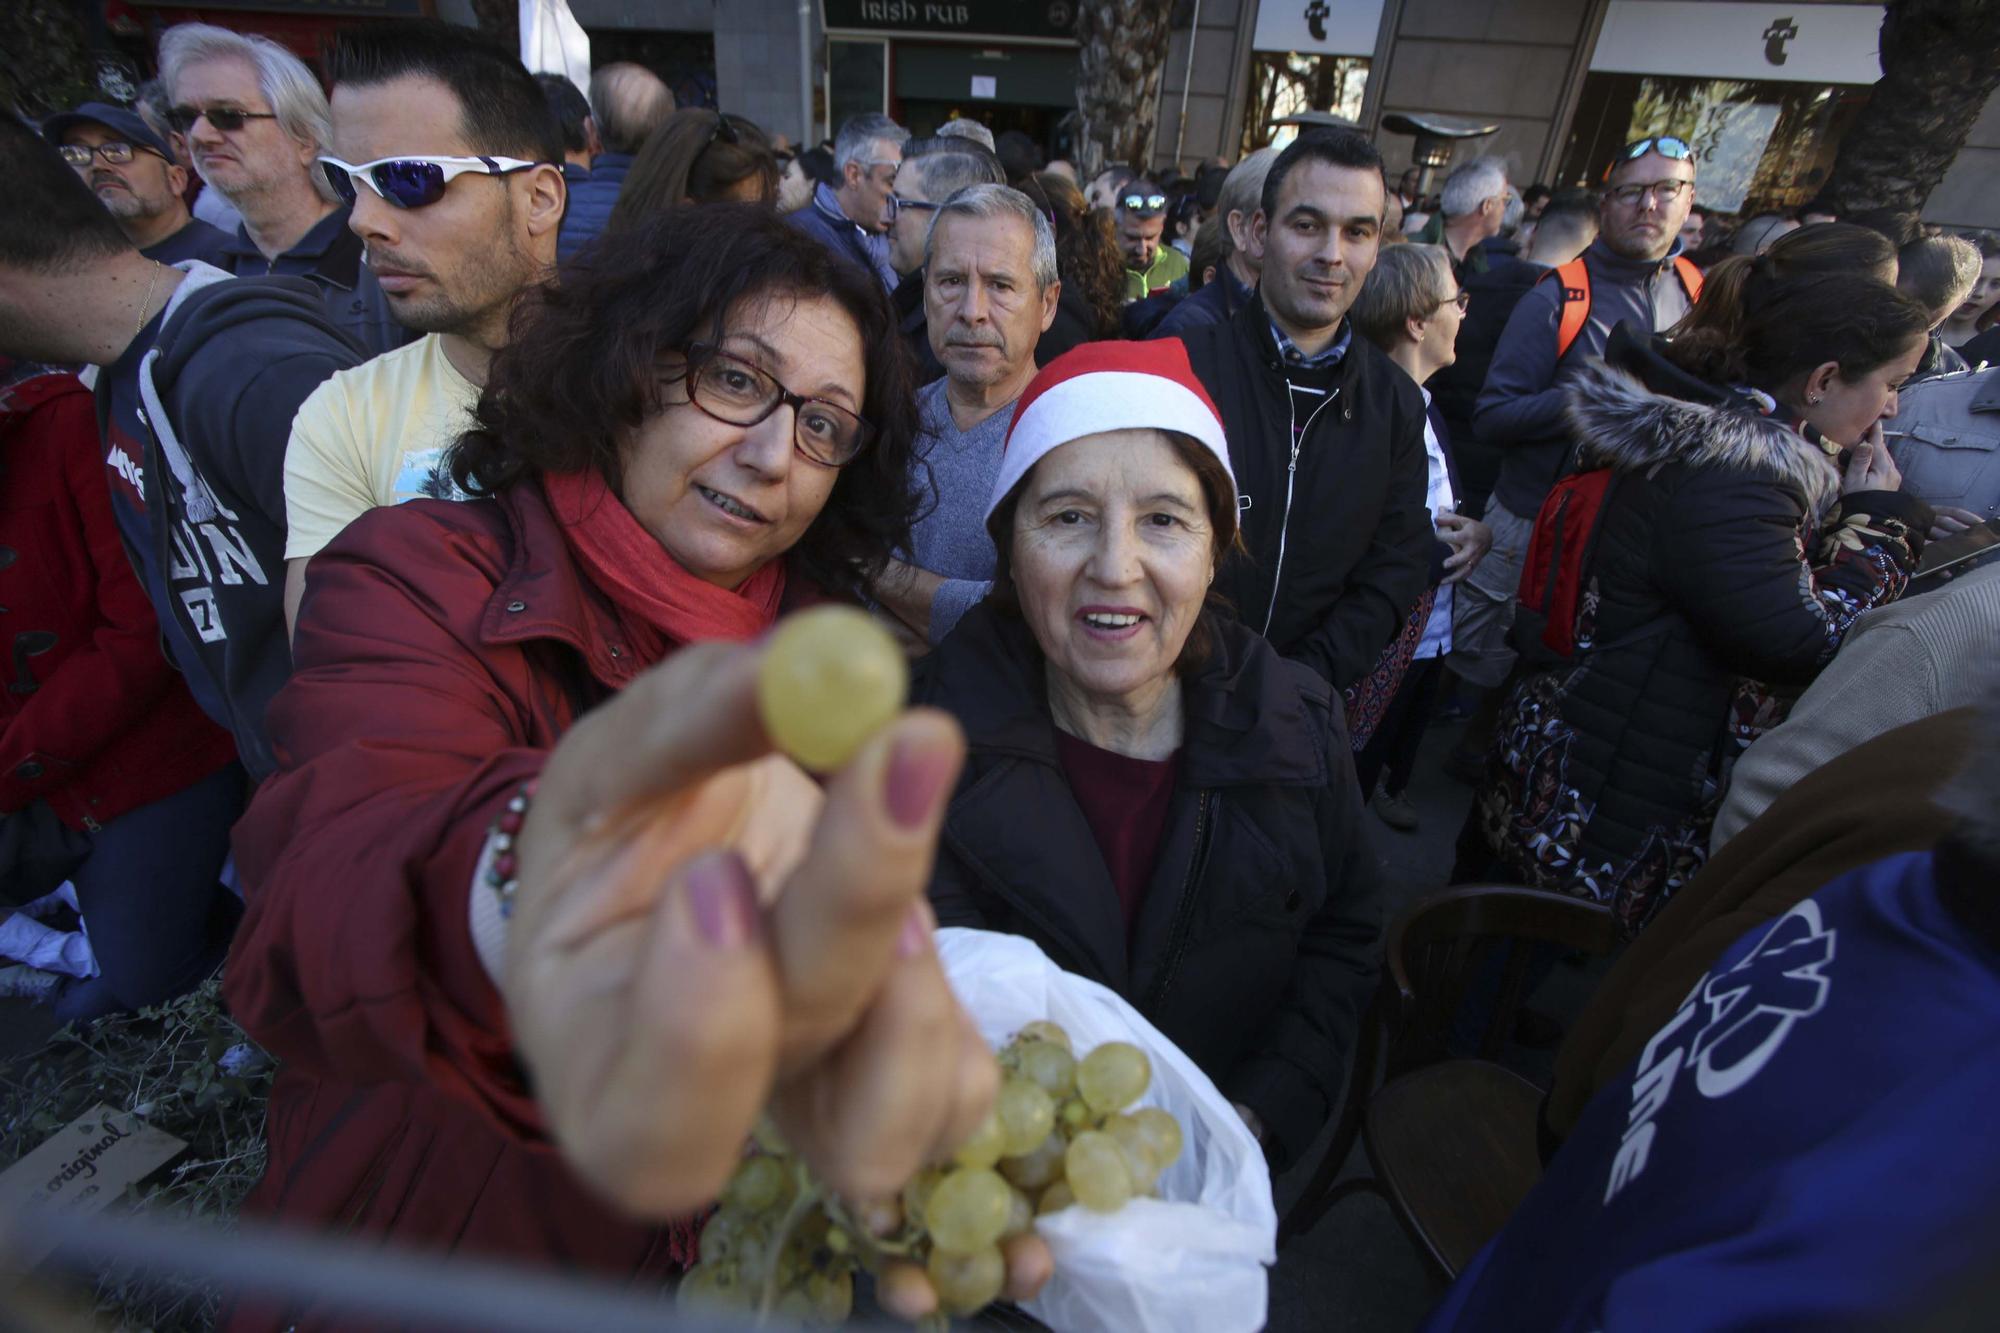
1327, 435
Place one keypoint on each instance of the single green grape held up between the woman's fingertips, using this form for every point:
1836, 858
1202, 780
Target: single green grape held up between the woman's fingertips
831, 680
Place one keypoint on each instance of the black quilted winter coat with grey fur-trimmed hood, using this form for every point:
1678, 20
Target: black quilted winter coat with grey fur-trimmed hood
1725, 575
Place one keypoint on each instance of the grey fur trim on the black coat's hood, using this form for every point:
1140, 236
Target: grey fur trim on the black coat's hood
1629, 427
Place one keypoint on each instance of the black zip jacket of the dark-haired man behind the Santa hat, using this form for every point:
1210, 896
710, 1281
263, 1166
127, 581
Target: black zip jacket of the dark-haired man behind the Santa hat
1339, 527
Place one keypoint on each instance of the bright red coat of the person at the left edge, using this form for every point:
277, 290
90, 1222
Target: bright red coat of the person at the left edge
93, 718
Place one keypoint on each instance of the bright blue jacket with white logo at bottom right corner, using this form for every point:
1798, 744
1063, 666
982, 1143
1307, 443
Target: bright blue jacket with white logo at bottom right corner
1805, 1146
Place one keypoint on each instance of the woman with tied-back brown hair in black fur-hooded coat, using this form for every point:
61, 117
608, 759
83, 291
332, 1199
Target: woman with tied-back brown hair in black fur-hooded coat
1753, 513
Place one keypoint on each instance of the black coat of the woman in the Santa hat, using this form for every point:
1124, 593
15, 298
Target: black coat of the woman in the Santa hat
1257, 944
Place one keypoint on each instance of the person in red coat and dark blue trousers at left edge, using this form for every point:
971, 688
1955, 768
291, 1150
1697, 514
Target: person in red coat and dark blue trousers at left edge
111, 776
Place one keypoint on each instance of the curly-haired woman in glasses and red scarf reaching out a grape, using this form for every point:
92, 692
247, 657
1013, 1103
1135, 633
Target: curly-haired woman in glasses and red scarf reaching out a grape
537, 922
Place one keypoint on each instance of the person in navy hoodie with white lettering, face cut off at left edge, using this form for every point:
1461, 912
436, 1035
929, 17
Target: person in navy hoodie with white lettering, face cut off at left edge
199, 379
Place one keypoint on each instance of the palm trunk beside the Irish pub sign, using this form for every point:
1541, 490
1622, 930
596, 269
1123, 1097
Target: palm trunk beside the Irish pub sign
1123, 51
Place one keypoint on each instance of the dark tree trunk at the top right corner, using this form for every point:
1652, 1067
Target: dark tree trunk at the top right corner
1939, 71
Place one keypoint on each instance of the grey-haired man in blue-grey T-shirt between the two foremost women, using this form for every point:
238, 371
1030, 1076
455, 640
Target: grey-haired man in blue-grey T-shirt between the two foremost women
991, 291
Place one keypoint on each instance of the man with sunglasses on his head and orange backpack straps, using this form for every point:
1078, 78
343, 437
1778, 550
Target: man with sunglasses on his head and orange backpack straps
1631, 277
